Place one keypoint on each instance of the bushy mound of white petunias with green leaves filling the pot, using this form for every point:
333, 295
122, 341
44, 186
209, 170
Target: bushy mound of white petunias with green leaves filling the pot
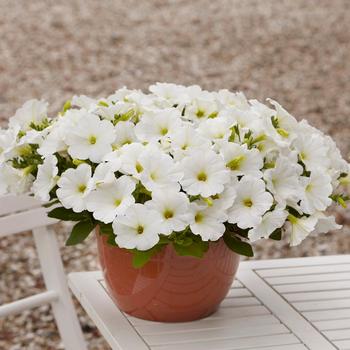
178, 165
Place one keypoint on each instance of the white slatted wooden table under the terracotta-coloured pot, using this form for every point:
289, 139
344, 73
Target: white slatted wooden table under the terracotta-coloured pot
287, 304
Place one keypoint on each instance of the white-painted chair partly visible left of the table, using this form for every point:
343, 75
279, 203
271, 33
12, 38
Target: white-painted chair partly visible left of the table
23, 213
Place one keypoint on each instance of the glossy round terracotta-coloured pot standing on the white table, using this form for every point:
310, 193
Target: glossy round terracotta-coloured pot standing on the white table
169, 288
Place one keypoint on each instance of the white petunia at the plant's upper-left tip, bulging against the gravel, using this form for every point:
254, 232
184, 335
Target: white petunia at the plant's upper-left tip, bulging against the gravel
32, 112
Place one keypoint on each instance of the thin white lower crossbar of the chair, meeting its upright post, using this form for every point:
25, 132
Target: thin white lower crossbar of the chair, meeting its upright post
28, 303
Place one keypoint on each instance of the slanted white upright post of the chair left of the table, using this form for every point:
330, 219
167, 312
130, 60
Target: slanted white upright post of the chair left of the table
55, 279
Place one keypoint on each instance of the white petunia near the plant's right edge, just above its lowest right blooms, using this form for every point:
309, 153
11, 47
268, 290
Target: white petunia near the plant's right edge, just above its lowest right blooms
318, 188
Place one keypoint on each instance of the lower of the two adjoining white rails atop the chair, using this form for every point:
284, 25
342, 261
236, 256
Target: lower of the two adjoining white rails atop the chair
24, 221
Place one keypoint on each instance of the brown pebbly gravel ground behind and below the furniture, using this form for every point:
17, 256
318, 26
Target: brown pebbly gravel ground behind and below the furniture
297, 52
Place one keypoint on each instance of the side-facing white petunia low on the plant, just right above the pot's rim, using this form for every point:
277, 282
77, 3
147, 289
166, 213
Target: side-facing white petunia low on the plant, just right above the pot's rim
271, 221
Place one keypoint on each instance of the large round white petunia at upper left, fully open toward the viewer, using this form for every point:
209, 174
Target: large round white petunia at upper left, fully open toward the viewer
90, 139
